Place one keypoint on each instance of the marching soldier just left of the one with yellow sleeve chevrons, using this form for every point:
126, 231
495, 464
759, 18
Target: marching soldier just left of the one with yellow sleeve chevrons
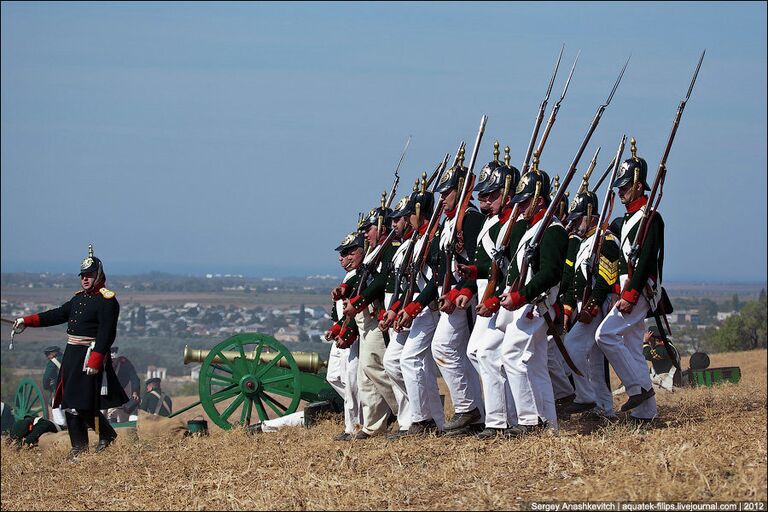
524, 349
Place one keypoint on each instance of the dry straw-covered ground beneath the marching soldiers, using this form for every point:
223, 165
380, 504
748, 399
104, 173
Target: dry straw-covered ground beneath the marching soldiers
709, 444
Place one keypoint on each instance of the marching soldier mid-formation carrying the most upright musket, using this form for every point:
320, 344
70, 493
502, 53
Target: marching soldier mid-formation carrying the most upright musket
449, 344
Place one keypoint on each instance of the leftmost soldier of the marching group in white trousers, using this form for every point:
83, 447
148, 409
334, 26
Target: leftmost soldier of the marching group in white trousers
343, 362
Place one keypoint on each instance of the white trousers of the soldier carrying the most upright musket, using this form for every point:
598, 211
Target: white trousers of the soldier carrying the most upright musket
449, 348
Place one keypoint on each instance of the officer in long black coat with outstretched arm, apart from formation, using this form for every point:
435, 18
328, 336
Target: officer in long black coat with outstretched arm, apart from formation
87, 381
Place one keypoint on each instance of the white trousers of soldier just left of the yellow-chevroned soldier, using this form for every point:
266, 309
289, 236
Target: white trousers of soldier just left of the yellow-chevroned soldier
524, 355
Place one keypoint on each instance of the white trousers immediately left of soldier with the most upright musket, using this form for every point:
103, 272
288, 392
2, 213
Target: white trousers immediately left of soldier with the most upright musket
420, 372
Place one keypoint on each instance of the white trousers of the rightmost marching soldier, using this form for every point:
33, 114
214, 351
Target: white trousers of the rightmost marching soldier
620, 337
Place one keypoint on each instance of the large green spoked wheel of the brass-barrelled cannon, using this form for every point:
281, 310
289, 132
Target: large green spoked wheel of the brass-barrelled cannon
239, 384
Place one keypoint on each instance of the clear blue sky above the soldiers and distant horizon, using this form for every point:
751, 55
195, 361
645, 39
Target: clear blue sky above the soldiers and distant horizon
246, 137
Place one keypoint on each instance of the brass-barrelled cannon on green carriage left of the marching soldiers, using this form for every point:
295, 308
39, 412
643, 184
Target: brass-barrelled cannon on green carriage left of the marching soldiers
253, 376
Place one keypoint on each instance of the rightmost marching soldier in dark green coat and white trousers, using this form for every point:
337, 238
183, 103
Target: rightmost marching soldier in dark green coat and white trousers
620, 335
